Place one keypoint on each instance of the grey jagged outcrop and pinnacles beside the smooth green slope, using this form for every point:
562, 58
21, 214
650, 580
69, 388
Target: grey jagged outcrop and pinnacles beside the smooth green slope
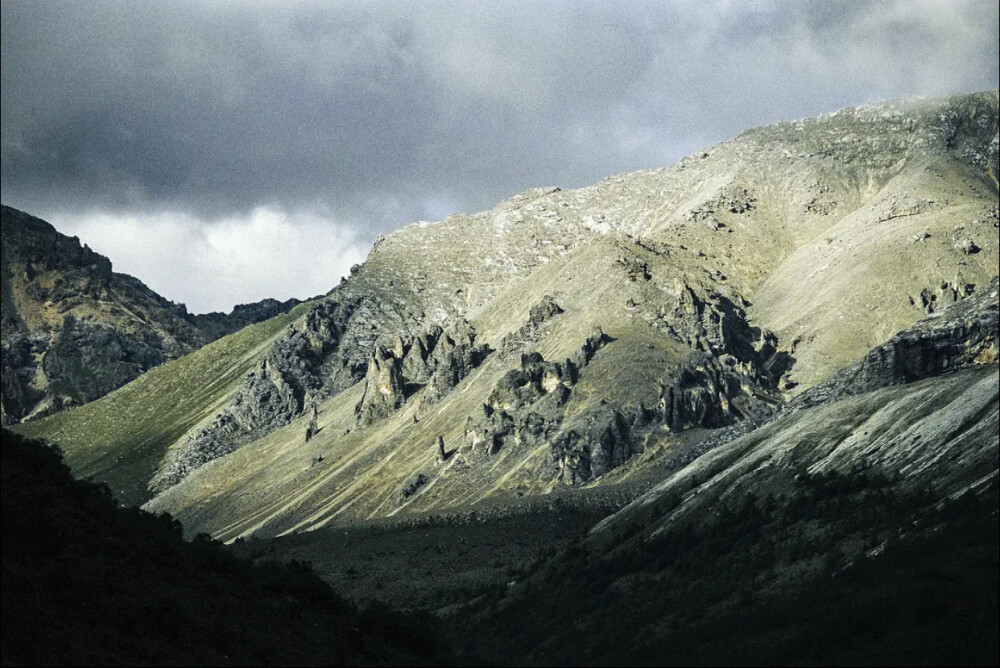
318, 359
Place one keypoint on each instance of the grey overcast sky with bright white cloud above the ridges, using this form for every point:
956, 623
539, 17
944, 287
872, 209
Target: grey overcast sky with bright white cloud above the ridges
224, 152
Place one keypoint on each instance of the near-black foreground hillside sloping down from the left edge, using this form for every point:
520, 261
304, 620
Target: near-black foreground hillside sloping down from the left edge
88, 583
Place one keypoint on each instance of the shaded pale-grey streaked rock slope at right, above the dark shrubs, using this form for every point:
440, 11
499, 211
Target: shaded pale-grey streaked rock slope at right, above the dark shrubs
921, 409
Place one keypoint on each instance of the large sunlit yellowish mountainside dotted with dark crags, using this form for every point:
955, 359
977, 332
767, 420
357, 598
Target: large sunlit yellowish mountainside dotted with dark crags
585, 338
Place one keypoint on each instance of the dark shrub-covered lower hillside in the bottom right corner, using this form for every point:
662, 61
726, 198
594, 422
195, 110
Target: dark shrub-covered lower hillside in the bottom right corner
845, 570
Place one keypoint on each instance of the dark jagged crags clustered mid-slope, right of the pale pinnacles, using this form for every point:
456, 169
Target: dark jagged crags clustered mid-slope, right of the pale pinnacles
731, 374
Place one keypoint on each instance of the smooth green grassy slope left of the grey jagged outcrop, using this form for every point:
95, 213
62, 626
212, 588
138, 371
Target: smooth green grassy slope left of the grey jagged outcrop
122, 438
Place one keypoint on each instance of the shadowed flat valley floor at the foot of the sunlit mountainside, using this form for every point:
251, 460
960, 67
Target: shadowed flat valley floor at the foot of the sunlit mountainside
438, 562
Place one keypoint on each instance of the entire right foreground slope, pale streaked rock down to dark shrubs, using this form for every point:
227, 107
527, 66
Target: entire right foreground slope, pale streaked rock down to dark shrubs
856, 524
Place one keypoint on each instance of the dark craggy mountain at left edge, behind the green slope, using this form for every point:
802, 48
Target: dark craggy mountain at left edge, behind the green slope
74, 330
